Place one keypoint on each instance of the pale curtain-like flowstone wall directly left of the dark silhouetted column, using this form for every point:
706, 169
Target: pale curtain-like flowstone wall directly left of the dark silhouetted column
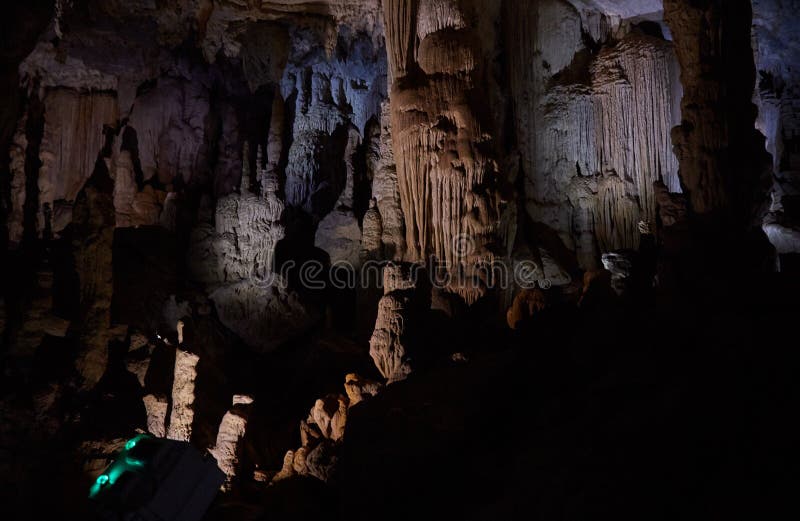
593, 126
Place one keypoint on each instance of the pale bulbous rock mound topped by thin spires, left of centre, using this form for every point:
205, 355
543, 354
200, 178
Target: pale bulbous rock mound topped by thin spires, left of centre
234, 257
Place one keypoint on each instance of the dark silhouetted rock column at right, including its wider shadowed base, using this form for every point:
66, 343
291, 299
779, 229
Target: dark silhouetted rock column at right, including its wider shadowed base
724, 168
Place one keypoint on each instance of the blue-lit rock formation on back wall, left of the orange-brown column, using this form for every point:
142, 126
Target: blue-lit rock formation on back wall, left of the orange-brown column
331, 95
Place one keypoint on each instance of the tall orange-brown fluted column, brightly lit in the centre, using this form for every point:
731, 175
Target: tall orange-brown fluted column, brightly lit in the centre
441, 141
